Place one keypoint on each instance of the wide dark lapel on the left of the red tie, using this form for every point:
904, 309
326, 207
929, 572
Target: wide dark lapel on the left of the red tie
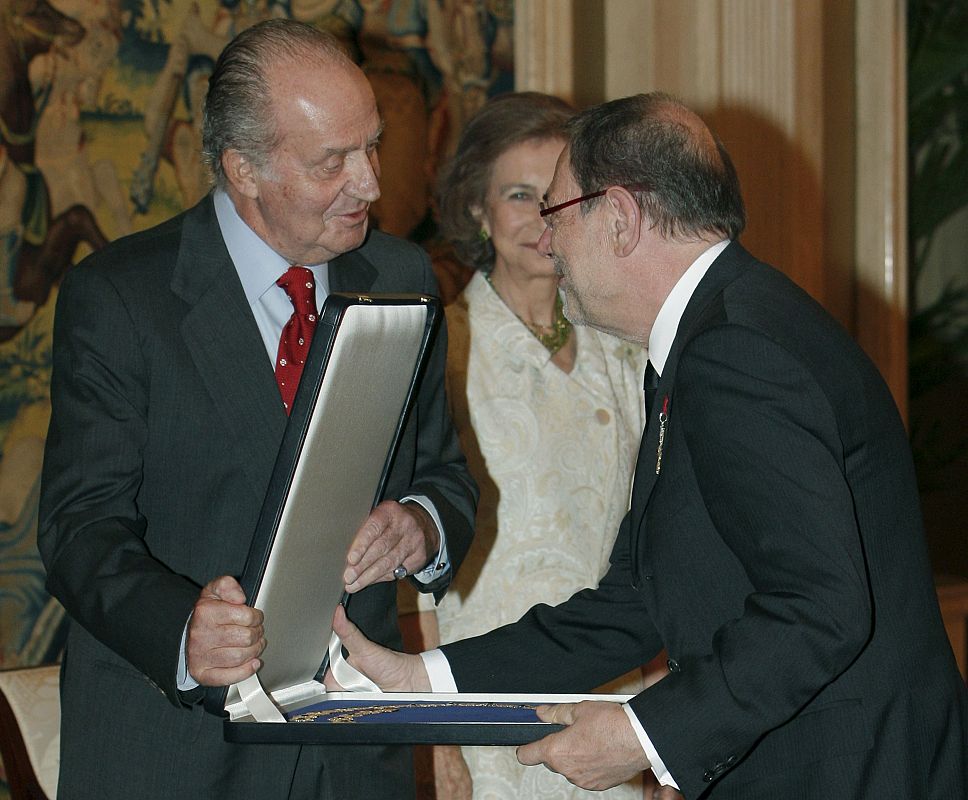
225, 344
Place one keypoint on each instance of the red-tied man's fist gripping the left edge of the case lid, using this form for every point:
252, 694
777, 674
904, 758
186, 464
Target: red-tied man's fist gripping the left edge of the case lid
225, 636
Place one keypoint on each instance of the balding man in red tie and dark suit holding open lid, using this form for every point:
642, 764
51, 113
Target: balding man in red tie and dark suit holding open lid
167, 419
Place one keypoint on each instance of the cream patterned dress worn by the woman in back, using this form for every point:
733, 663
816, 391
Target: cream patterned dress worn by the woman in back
553, 454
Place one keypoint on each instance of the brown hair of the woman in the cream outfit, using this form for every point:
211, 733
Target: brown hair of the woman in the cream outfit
503, 122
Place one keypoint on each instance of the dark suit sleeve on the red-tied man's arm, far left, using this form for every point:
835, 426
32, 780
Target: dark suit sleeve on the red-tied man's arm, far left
91, 533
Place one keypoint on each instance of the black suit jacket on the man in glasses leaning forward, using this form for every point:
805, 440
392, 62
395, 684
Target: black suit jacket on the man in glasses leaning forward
776, 552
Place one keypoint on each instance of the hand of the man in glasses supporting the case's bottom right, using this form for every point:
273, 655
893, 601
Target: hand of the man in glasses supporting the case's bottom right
598, 749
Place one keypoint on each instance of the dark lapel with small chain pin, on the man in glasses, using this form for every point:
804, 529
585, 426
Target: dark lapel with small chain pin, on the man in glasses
723, 271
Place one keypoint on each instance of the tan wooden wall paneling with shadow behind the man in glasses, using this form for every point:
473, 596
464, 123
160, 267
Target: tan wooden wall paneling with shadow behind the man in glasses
808, 97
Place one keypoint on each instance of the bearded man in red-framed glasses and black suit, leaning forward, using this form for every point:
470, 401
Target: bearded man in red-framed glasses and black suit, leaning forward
774, 544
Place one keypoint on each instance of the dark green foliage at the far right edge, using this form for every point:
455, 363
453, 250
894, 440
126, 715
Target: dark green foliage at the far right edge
938, 188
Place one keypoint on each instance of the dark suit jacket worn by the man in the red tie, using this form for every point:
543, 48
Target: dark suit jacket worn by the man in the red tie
165, 427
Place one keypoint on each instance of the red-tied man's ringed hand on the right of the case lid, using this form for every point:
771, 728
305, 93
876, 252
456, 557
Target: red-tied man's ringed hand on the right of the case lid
393, 535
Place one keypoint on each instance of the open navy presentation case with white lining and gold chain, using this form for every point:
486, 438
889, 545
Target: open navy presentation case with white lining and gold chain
357, 387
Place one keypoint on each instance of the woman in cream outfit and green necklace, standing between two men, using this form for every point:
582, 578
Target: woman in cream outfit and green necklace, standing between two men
549, 417
